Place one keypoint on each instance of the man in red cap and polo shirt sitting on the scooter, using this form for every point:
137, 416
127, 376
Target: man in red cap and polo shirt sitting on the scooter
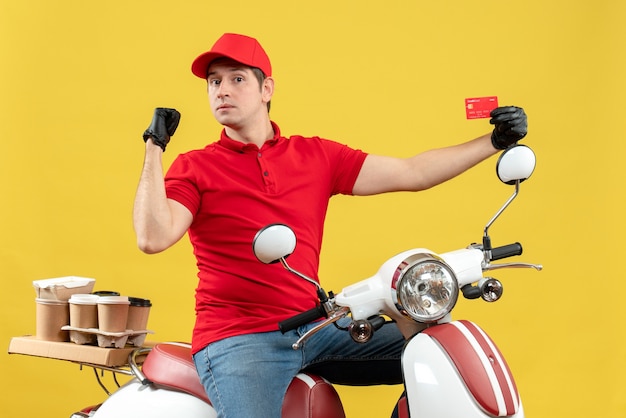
253, 176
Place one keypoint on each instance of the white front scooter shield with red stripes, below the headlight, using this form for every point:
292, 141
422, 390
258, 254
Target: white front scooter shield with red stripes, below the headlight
456, 370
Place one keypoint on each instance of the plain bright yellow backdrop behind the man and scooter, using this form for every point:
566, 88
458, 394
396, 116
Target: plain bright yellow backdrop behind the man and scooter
79, 80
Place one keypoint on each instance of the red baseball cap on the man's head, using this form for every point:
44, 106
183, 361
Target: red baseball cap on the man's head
240, 48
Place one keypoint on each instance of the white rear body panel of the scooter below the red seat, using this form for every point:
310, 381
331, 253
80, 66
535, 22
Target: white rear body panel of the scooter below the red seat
134, 400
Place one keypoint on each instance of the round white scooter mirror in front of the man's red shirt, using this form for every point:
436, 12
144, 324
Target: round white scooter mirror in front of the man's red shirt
274, 242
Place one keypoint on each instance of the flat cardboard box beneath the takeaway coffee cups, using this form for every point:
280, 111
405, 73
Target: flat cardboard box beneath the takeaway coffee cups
30, 345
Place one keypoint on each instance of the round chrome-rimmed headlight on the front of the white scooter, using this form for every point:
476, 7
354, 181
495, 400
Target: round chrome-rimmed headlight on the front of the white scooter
424, 287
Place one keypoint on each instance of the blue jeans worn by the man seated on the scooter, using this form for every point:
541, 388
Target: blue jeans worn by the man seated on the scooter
247, 376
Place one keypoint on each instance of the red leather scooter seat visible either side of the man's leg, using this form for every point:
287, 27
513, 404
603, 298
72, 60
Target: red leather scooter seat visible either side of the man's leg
308, 395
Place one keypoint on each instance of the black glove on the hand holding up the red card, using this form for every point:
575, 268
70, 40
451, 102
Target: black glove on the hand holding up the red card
511, 125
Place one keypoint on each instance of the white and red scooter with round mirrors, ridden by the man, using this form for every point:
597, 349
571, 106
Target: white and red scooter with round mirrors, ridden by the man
451, 368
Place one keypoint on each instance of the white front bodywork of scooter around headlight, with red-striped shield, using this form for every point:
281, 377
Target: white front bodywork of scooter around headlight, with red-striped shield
451, 369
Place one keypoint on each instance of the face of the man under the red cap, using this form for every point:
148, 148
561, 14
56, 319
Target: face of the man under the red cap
235, 95
